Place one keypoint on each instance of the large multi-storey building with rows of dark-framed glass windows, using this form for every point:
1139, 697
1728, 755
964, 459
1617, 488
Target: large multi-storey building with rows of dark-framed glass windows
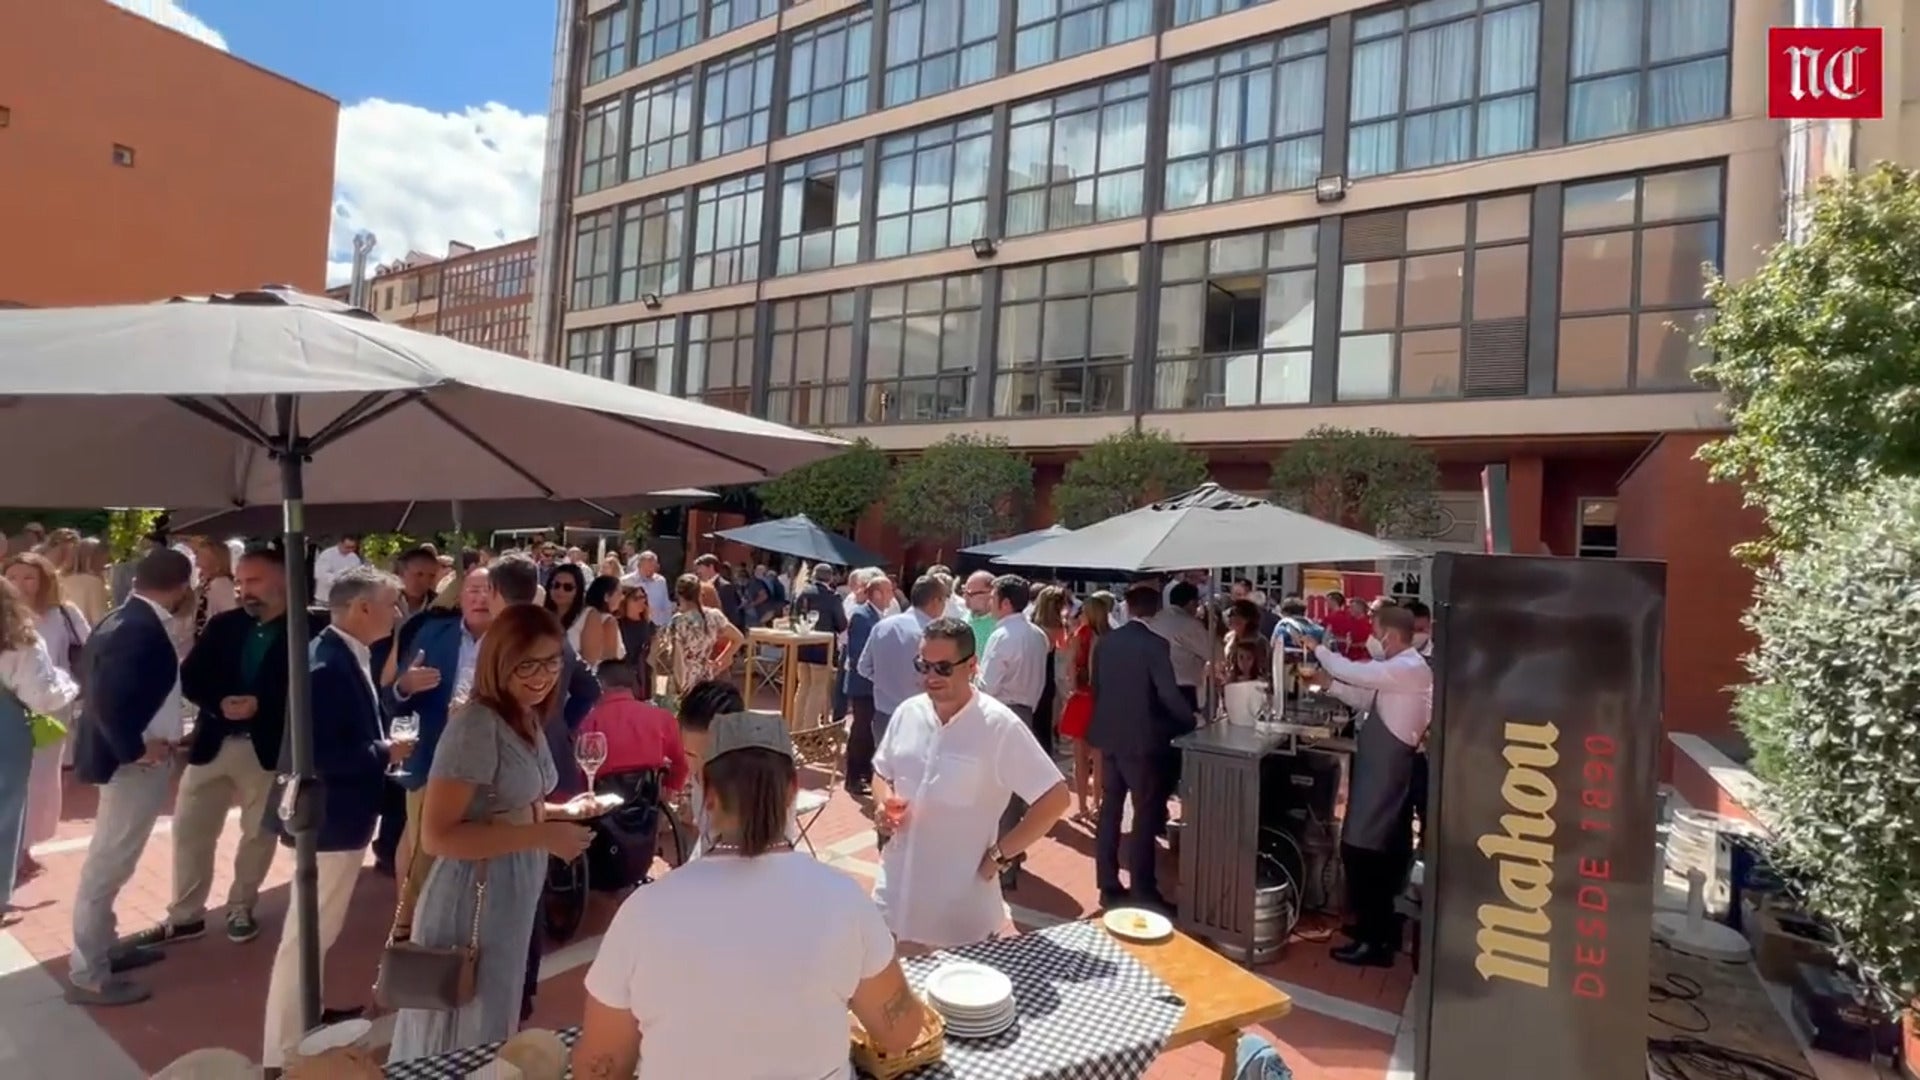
1479, 224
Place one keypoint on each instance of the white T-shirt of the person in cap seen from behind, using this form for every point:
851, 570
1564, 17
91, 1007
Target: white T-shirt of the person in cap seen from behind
761, 993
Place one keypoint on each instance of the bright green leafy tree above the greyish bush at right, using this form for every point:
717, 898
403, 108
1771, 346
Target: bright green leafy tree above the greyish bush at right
1819, 358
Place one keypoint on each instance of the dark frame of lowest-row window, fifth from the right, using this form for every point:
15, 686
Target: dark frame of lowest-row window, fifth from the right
878, 393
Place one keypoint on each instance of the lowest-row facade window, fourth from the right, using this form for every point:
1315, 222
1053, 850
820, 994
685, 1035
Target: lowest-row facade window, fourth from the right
1067, 337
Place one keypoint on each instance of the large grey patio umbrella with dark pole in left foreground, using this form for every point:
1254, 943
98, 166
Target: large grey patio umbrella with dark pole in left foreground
272, 395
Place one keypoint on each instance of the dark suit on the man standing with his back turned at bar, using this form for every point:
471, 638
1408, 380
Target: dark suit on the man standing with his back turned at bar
1138, 714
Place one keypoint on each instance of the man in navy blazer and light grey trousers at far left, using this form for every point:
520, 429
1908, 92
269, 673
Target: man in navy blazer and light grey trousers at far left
126, 743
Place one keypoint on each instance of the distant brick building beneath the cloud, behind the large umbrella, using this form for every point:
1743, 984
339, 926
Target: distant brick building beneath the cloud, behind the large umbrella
479, 297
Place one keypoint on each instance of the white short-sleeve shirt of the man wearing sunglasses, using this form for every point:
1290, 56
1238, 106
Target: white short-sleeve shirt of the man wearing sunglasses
955, 779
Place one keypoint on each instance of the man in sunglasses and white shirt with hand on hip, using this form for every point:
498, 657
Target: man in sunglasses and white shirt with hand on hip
949, 762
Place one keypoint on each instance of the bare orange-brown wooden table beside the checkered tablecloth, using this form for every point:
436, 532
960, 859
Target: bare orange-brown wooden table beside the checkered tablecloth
1222, 996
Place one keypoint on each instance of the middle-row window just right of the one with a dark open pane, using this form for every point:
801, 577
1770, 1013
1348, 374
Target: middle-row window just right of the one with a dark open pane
934, 187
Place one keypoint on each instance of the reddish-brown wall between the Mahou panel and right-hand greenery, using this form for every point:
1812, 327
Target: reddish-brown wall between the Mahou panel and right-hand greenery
1671, 512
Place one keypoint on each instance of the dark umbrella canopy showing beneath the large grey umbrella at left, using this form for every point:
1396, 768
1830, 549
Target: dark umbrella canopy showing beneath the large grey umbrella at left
423, 518
